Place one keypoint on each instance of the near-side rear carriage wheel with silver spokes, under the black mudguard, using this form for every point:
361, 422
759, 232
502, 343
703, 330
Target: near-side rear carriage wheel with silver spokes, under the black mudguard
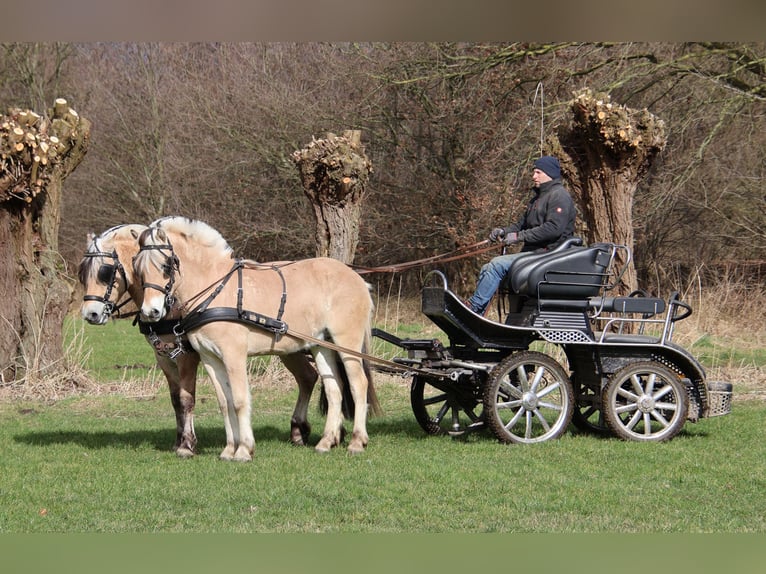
645, 401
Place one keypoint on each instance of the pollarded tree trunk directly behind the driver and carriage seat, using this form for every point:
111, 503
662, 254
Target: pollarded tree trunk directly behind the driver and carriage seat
604, 153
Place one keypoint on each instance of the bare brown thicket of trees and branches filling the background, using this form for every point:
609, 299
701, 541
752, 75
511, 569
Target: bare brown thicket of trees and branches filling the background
207, 130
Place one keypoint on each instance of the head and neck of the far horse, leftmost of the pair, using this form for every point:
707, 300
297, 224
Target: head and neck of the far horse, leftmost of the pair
102, 273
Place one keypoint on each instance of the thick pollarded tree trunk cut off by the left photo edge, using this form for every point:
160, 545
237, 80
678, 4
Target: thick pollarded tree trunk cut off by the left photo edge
38, 153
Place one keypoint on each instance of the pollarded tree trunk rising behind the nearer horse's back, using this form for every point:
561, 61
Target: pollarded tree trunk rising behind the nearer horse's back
334, 172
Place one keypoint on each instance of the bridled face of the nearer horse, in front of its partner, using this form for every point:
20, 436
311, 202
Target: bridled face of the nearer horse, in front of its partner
156, 267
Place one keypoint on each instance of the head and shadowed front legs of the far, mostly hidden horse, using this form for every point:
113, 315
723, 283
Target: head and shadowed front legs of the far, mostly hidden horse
106, 274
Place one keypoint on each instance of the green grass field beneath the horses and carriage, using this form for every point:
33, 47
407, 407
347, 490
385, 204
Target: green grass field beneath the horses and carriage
100, 461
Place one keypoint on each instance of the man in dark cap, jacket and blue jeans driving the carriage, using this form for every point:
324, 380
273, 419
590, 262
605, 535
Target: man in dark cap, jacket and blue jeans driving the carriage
548, 221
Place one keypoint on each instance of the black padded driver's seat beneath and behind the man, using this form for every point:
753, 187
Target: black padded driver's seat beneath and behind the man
576, 273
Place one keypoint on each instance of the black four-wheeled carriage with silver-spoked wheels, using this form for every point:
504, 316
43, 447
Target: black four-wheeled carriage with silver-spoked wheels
567, 351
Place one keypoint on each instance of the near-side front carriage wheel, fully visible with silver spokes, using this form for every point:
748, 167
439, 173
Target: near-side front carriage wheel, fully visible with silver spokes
528, 398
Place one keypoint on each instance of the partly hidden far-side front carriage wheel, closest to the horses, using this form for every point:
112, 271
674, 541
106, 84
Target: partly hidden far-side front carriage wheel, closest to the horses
451, 408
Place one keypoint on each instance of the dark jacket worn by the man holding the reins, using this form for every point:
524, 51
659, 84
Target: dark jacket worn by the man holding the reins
549, 218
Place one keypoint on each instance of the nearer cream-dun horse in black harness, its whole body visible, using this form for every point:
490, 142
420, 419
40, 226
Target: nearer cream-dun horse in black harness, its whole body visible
187, 265
